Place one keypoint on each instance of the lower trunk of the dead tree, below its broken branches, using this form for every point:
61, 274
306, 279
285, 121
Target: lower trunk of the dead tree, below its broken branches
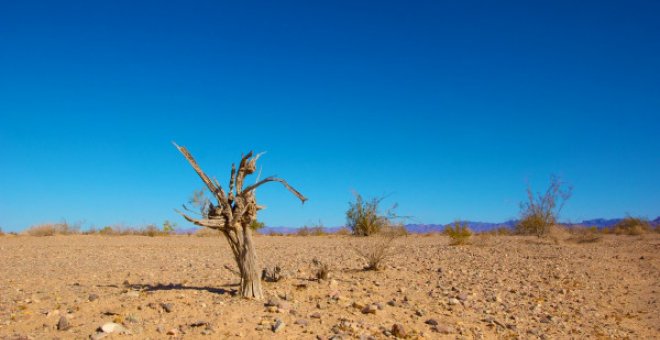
250, 274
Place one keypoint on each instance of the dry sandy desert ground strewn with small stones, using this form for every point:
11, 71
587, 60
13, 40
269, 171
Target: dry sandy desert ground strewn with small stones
69, 287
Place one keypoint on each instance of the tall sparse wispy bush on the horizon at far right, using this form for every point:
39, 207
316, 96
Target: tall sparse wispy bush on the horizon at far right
541, 211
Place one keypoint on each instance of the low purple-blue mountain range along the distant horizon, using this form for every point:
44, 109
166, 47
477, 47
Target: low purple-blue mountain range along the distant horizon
600, 223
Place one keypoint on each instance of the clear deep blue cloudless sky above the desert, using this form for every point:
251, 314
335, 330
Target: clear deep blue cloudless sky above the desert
450, 106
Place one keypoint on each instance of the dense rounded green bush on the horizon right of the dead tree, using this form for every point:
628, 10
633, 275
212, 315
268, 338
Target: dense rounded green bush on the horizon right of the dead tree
364, 217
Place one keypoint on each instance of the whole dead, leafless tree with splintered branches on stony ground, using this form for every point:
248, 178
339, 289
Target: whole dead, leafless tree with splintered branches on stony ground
233, 214
